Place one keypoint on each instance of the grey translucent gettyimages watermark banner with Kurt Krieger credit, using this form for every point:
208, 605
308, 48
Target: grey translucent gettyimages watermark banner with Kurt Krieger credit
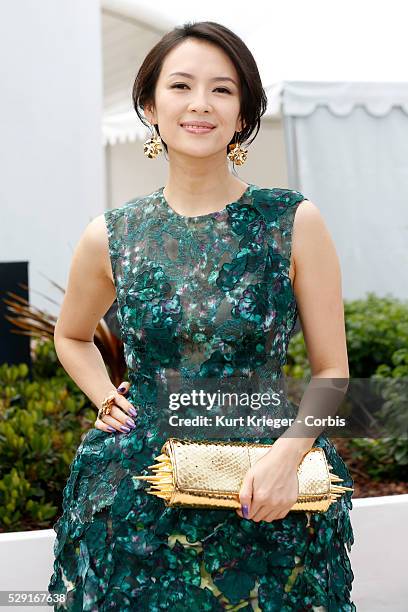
242, 408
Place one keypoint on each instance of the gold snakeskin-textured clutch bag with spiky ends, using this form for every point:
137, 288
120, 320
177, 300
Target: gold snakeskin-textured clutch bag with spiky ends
204, 474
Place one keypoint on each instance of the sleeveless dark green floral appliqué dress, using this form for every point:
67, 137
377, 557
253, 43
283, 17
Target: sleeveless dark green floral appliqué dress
206, 296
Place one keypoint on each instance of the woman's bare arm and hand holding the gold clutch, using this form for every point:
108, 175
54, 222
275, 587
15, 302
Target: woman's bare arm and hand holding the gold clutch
270, 487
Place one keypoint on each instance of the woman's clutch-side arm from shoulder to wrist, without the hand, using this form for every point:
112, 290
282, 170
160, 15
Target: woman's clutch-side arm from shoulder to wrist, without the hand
318, 291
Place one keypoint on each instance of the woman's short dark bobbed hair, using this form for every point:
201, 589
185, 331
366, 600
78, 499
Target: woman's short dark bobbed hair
253, 97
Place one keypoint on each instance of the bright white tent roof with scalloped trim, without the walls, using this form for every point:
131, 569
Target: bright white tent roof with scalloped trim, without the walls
291, 41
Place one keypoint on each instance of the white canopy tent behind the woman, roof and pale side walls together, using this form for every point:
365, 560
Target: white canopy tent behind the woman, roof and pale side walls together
336, 126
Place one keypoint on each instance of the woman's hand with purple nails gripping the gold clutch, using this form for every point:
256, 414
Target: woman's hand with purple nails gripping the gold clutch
271, 487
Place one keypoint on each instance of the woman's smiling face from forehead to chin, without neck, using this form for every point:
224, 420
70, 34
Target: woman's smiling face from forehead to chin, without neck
203, 96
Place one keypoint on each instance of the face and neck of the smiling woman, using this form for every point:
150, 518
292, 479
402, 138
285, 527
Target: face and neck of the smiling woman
199, 106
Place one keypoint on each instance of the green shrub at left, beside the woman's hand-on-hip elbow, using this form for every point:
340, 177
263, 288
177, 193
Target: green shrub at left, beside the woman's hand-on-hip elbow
41, 424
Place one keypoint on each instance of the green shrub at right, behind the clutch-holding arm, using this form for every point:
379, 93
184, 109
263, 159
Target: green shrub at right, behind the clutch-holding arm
377, 344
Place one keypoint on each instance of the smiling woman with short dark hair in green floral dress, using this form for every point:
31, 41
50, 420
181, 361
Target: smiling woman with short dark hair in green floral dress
208, 273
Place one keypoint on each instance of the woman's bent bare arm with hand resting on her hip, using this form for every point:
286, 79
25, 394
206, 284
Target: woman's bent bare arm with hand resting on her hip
90, 293
